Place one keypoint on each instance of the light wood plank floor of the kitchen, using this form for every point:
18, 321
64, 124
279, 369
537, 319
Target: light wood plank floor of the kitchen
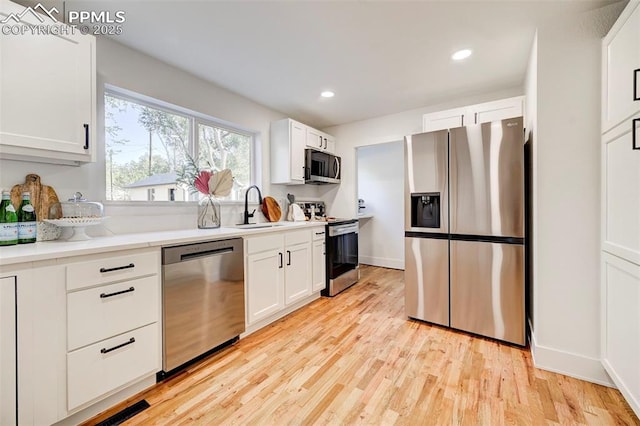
356, 359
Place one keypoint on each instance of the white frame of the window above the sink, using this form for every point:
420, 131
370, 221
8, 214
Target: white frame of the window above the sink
194, 118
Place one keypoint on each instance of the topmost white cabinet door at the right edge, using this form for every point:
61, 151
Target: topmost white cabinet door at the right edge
621, 69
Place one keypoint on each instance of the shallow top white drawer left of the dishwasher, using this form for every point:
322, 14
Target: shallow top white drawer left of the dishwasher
111, 269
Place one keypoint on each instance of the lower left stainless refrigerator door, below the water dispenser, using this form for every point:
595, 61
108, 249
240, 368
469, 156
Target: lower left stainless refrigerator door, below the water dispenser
426, 278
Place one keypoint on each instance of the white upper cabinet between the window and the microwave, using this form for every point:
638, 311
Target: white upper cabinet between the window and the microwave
288, 141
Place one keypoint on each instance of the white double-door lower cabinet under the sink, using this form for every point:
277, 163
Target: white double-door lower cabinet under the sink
279, 272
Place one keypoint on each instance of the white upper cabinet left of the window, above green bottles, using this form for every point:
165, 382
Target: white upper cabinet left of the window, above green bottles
48, 96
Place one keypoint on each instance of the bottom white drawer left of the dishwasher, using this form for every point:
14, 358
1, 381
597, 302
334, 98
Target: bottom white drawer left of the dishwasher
112, 363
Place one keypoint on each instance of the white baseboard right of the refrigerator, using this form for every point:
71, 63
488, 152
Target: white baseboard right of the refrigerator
569, 364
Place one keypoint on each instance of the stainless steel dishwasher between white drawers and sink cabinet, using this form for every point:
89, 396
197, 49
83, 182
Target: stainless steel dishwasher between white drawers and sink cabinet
202, 300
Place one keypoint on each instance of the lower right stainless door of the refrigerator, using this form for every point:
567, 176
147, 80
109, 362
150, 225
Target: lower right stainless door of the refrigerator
487, 289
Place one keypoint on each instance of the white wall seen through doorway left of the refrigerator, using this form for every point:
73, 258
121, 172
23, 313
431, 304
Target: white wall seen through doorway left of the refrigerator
380, 177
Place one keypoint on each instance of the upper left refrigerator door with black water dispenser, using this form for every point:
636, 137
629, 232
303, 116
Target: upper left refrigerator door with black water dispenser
426, 178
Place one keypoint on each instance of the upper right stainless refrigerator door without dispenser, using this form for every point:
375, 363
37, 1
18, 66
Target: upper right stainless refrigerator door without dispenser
487, 179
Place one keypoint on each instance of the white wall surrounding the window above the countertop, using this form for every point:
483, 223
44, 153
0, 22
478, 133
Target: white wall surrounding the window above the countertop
123, 67
